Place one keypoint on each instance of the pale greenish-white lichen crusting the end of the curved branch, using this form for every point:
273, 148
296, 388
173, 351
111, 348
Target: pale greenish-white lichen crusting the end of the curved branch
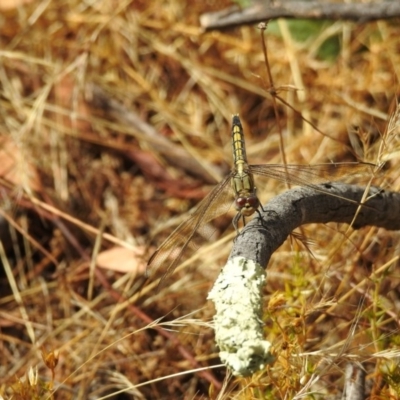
237, 295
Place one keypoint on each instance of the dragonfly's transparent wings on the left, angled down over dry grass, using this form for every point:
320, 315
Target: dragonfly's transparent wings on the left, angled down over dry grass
168, 255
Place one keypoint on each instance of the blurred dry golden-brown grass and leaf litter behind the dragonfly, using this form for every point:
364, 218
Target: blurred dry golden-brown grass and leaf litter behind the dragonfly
88, 190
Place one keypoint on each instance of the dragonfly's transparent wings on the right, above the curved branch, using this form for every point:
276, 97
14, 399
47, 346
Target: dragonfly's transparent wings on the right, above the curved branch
311, 175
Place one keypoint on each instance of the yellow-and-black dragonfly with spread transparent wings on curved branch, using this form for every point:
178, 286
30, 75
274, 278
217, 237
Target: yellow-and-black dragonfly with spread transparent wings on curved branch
240, 181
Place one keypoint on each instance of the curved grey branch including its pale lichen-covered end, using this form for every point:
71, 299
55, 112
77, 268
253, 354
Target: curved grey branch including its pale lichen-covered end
237, 292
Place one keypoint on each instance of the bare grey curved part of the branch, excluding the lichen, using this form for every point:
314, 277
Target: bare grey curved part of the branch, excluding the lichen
301, 206
